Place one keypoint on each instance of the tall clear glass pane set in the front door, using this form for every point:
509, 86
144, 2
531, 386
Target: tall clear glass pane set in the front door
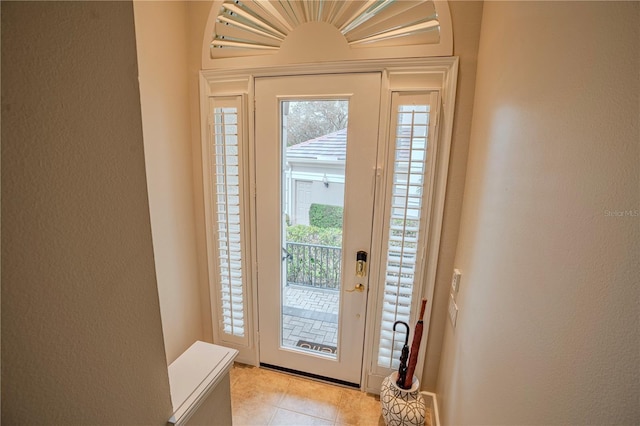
314, 146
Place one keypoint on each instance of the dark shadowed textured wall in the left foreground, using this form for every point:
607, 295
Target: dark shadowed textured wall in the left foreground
81, 331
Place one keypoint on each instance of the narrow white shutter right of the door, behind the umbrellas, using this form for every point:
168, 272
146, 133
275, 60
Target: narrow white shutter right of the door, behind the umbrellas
405, 221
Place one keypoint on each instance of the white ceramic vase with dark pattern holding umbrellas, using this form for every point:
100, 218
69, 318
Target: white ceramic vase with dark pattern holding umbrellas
402, 407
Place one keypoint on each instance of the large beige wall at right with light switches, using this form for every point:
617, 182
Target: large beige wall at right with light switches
549, 330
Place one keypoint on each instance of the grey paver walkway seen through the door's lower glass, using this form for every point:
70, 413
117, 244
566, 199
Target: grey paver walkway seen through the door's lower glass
310, 315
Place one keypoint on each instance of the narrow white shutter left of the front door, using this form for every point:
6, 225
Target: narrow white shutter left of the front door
226, 222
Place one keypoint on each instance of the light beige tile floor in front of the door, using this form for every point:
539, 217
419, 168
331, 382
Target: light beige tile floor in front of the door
264, 397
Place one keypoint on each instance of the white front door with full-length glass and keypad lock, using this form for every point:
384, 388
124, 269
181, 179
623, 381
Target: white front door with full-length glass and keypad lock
311, 301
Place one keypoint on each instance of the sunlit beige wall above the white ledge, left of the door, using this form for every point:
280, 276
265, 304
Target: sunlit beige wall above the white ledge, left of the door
161, 36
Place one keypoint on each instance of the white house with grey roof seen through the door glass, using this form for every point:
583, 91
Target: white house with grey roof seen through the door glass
314, 174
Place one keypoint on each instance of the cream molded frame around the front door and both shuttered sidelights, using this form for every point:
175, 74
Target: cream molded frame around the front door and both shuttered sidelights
416, 74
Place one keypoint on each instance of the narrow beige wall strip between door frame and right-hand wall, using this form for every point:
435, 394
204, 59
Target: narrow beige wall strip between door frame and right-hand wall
466, 17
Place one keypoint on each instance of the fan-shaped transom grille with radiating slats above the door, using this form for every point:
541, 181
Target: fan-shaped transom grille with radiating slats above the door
260, 27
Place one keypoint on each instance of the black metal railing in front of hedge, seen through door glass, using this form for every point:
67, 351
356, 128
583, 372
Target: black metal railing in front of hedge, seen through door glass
313, 265
